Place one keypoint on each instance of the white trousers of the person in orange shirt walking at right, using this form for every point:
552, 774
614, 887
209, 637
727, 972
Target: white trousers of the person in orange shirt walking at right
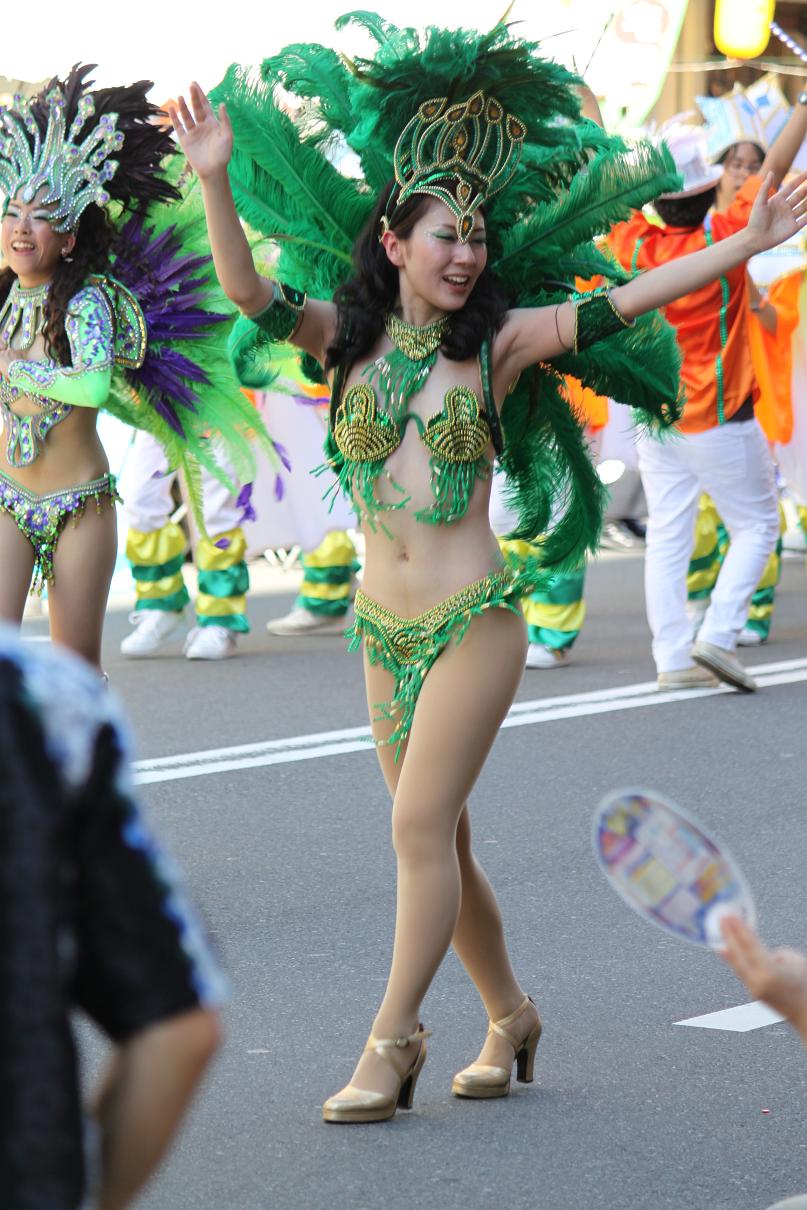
733, 464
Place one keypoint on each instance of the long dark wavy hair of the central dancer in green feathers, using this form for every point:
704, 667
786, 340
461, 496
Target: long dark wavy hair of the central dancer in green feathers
371, 295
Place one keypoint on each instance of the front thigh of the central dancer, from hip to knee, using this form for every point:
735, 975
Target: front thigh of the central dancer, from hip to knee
462, 707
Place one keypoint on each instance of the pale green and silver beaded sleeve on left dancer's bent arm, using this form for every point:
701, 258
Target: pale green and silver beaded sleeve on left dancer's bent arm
91, 337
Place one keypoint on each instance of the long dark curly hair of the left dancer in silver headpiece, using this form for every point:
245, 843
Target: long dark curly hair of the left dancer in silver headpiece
93, 255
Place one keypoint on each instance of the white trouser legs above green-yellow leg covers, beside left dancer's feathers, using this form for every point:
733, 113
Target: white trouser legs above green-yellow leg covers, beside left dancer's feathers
146, 488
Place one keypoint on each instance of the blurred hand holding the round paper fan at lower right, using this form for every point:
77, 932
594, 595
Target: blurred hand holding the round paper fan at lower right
777, 977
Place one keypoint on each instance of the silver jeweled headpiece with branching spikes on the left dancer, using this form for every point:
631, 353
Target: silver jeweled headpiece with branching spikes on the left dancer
73, 171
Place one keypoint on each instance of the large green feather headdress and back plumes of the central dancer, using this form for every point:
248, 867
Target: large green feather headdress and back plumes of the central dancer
567, 182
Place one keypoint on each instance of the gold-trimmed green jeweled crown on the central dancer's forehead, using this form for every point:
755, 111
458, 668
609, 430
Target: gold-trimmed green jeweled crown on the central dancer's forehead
462, 154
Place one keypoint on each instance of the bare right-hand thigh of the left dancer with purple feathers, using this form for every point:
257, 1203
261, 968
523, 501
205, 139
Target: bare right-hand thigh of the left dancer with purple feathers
83, 571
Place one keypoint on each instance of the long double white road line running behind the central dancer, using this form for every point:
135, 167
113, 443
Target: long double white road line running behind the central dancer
356, 740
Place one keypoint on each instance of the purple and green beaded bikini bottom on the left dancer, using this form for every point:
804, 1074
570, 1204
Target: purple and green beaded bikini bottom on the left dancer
43, 518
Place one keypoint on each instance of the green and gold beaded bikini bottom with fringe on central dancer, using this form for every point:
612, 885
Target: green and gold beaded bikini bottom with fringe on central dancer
410, 647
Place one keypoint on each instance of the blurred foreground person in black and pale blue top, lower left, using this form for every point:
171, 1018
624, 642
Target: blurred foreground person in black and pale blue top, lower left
91, 918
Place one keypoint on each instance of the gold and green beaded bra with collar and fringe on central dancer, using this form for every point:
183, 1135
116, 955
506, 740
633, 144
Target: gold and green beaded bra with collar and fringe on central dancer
366, 434
